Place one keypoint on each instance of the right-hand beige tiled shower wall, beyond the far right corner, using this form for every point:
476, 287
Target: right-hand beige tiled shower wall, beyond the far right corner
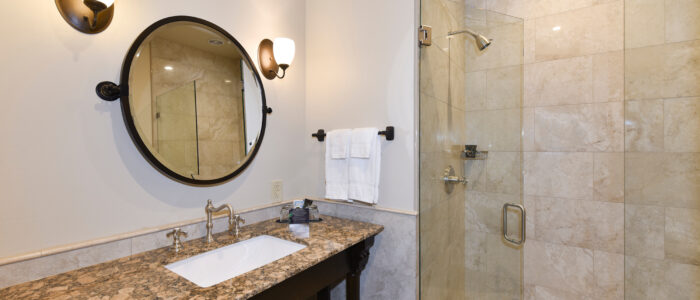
662, 144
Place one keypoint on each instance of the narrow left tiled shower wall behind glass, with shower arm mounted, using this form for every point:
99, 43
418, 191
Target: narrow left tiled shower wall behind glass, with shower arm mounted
442, 129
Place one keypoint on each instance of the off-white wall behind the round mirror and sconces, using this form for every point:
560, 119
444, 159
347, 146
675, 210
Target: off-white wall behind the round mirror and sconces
69, 171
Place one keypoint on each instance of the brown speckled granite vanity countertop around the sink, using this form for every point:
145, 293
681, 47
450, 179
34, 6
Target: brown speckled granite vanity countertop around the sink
144, 275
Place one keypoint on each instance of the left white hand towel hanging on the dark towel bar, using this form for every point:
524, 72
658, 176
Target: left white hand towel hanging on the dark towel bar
337, 168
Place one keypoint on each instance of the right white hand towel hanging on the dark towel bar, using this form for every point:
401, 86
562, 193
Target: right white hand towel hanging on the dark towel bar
364, 173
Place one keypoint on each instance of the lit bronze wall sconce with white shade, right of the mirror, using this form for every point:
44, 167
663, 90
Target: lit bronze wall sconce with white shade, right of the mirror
275, 56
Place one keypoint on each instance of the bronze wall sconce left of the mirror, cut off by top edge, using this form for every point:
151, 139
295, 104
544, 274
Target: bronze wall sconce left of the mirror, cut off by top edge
87, 16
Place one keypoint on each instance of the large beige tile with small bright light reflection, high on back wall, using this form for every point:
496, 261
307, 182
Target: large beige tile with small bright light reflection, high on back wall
594, 29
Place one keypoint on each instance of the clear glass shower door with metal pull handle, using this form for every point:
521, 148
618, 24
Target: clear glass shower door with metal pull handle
471, 96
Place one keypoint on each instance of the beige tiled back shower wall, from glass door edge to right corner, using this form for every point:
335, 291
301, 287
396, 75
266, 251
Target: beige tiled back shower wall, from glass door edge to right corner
573, 147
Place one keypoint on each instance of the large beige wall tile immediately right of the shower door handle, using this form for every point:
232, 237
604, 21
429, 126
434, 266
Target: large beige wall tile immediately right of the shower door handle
581, 223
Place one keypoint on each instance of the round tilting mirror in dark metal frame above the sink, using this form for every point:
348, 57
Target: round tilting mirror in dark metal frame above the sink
193, 101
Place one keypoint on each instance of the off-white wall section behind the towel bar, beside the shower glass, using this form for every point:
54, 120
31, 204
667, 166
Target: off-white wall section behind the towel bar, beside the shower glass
361, 73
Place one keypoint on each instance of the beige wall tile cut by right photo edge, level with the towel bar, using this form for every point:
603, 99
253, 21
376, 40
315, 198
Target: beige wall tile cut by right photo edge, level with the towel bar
682, 125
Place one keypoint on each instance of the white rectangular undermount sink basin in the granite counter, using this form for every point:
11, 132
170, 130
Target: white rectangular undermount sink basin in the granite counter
224, 263
